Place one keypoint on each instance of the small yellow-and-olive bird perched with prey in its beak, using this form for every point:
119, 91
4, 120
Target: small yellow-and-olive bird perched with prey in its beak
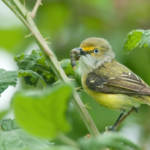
110, 83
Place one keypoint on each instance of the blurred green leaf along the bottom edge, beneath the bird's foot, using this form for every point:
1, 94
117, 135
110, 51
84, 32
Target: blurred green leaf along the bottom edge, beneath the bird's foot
109, 140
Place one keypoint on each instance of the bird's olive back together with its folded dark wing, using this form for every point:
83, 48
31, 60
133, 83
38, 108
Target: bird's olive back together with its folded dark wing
114, 77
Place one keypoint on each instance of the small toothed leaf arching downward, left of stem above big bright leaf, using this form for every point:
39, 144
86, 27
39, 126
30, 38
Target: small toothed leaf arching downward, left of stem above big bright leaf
30, 77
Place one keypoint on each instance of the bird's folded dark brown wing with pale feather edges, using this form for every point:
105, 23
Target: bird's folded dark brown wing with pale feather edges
124, 83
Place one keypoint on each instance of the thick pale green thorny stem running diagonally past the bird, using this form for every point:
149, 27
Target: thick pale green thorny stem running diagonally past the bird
22, 13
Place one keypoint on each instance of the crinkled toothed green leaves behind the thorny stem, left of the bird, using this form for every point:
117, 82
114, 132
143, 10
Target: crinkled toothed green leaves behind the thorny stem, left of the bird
34, 67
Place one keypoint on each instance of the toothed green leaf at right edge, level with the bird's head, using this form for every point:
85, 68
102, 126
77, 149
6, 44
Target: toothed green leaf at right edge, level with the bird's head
137, 38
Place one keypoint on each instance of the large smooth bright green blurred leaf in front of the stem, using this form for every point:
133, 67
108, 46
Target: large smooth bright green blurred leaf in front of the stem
43, 113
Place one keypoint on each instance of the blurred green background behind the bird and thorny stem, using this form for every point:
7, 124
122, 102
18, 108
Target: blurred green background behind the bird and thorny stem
67, 23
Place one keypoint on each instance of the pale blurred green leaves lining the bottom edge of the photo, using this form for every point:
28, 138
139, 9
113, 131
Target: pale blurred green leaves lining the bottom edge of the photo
17, 139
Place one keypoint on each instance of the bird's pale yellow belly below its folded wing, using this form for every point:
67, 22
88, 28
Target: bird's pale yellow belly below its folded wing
117, 102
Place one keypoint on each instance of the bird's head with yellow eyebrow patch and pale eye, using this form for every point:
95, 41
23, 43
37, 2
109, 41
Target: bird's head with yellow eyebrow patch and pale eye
93, 53
